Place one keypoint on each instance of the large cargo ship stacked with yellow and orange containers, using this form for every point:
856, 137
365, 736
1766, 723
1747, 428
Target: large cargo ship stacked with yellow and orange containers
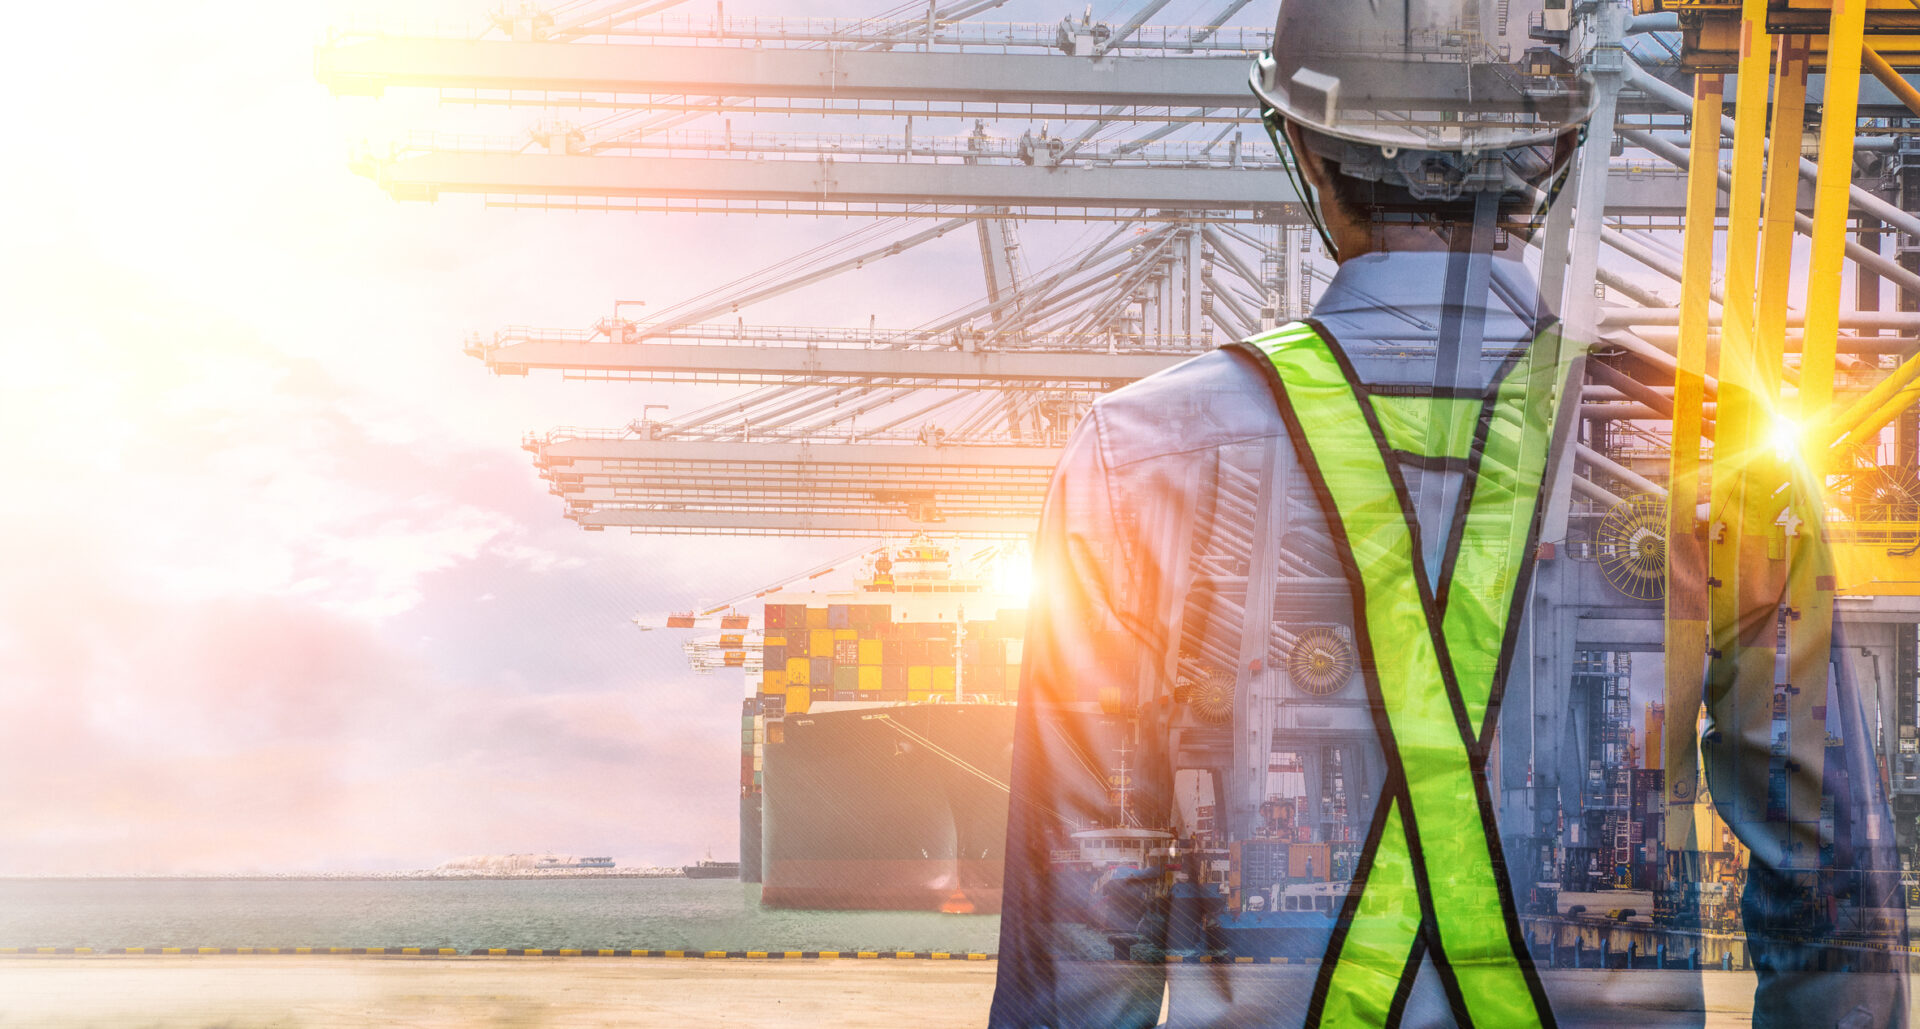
878, 746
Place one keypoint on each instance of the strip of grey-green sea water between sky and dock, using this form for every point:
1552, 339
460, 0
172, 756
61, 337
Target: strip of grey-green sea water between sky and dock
587, 913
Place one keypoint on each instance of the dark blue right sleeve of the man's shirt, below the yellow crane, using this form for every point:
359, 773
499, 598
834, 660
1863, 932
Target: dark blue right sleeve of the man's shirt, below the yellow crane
1821, 899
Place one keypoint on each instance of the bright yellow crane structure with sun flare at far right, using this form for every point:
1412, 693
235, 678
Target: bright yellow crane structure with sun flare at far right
1754, 540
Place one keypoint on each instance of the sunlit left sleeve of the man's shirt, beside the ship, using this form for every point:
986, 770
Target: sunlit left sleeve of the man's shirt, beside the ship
1080, 673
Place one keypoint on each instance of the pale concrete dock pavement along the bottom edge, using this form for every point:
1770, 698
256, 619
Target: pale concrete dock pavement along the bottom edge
458, 993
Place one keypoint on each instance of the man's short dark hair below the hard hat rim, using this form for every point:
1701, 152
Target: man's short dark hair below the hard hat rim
1381, 187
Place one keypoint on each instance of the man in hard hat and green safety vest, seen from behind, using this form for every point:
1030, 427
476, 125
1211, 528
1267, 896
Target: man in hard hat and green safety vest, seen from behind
1262, 771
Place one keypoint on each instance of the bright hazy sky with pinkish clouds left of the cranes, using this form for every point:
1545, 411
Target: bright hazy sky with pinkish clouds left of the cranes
279, 588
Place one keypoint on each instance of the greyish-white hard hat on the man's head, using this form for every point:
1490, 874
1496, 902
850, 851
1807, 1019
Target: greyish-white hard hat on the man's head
1441, 76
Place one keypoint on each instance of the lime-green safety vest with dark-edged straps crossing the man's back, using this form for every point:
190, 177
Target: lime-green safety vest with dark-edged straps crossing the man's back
1431, 882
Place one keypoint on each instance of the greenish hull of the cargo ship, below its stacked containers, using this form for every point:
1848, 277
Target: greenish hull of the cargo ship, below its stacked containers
898, 807
